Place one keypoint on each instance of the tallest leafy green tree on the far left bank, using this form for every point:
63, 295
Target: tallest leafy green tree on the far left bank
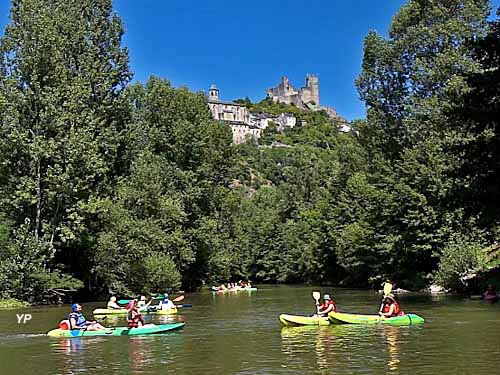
62, 71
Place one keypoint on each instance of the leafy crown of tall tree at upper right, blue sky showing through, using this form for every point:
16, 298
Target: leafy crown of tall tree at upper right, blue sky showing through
409, 80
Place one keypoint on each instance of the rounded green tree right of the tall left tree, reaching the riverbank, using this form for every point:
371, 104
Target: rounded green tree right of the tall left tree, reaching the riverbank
179, 173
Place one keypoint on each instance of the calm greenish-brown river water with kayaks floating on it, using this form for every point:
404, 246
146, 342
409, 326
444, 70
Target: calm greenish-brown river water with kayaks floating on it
241, 334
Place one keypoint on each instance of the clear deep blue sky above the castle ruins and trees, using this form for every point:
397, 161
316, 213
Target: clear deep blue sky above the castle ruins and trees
246, 46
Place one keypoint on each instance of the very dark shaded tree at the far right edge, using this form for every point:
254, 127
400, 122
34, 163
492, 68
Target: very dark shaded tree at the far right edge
479, 116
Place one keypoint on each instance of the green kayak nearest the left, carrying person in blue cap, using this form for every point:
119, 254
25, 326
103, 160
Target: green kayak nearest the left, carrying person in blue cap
148, 329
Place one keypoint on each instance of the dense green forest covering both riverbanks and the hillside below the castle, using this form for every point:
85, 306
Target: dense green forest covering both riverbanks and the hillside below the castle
109, 186
